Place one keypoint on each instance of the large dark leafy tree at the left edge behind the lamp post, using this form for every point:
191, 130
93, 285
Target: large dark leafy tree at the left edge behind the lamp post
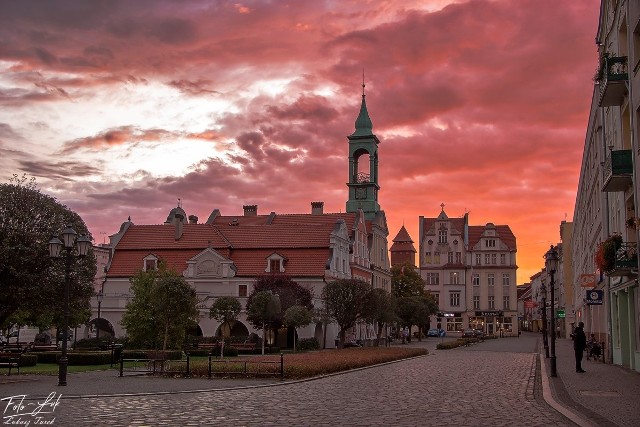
31, 281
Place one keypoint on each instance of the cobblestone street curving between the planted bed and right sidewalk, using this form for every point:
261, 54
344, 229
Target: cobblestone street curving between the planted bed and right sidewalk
498, 385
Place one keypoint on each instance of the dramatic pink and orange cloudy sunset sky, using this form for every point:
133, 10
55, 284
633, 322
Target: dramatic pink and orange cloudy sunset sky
119, 108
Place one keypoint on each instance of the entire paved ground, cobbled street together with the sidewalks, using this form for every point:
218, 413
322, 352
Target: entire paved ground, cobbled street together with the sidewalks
501, 382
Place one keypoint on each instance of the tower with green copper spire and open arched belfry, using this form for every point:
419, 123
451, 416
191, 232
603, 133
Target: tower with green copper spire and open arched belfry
363, 165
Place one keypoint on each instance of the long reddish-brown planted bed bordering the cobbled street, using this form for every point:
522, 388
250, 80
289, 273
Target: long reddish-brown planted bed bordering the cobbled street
311, 364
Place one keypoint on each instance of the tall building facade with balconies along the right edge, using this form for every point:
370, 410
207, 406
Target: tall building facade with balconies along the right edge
598, 214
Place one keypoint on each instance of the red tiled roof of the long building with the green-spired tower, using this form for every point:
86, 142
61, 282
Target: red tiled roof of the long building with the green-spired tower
302, 239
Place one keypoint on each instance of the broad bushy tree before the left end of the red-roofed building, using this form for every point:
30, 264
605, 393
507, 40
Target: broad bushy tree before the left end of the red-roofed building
162, 308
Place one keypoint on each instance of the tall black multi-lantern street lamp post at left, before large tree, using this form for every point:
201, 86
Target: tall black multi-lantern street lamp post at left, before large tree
68, 243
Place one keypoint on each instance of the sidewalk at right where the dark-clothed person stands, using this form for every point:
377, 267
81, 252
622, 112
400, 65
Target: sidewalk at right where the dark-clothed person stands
607, 395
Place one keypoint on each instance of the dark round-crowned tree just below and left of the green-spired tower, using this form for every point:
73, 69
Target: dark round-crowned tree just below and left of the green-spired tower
345, 302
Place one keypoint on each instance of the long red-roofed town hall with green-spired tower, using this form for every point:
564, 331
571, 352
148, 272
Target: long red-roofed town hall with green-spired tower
225, 254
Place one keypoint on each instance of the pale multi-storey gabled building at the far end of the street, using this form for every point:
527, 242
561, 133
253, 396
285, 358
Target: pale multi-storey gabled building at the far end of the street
471, 271
